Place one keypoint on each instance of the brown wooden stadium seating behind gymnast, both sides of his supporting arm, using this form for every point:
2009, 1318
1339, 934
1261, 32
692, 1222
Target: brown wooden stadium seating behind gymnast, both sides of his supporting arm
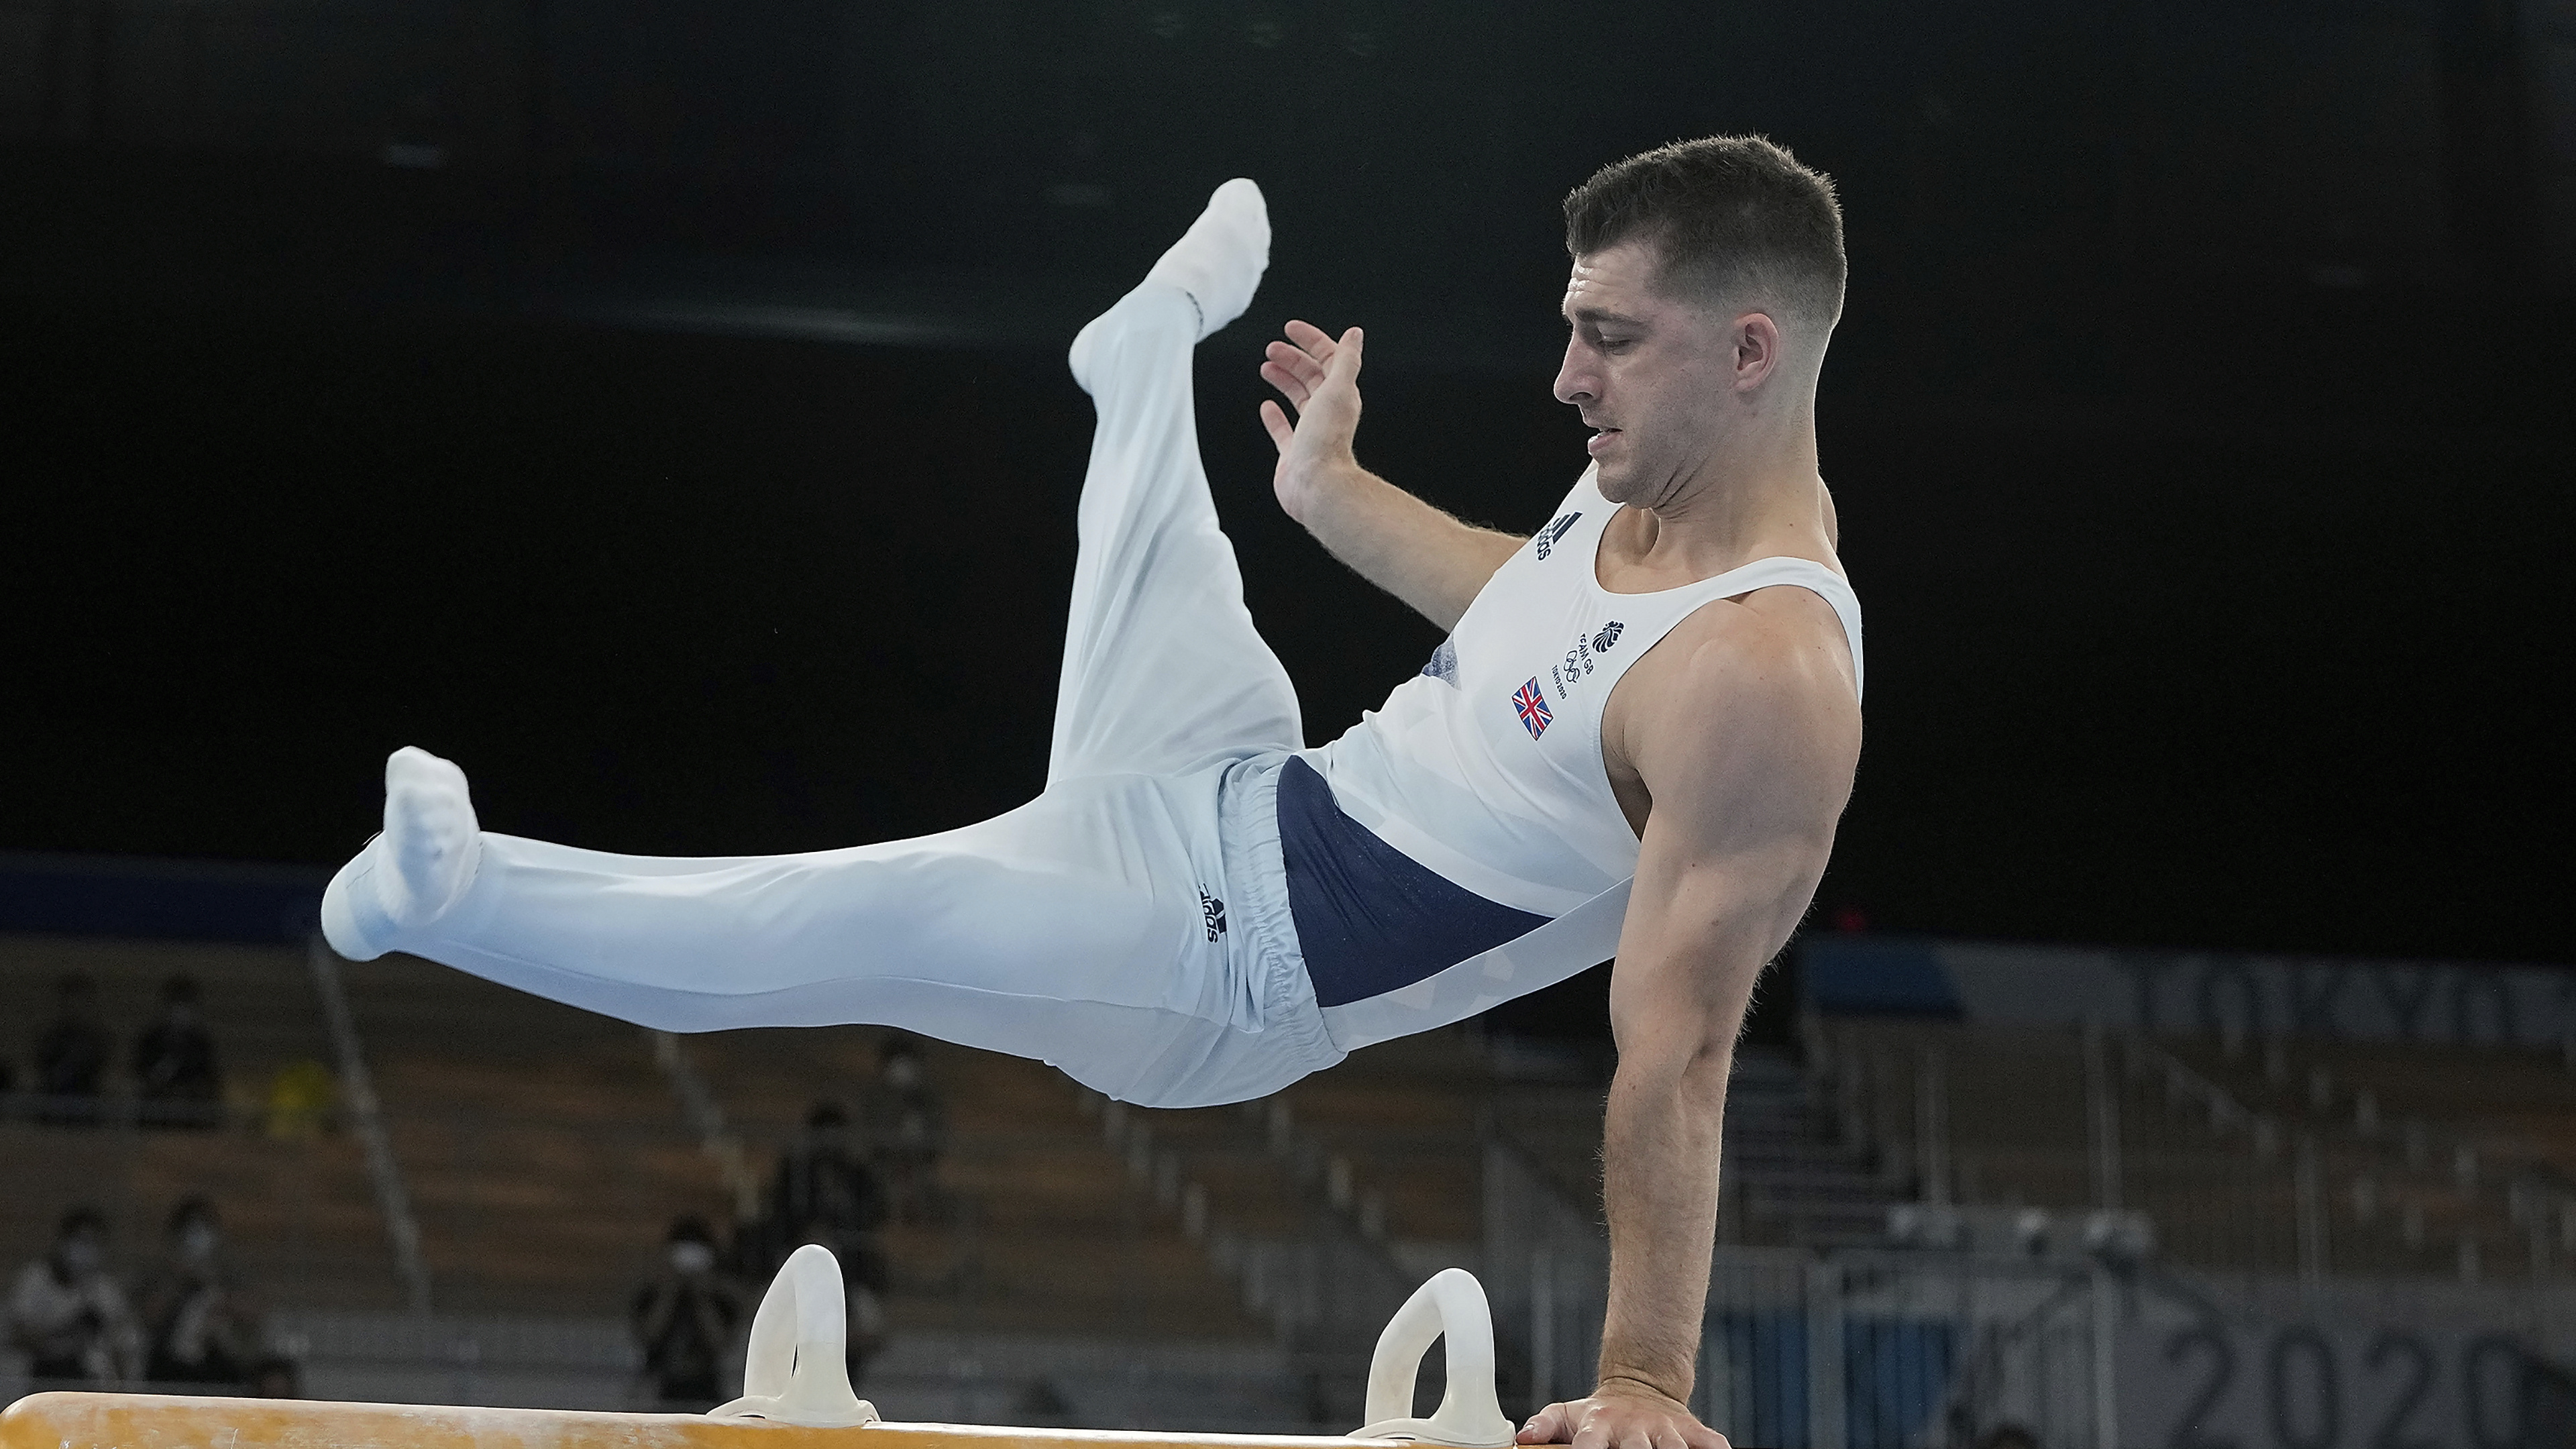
1091, 1262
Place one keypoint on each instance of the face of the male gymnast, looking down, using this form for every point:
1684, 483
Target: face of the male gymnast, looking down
1653, 375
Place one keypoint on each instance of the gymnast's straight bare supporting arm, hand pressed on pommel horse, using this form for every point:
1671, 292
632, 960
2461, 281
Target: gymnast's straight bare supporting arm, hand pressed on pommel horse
1748, 752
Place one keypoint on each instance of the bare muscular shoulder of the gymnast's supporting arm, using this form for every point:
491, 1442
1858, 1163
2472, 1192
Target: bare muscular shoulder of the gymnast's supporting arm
1748, 713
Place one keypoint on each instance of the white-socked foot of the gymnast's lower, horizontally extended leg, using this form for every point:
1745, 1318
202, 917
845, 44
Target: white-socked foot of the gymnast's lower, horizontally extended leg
416, 870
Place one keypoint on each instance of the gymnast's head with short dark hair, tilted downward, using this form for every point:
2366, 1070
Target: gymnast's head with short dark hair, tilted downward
1707, 285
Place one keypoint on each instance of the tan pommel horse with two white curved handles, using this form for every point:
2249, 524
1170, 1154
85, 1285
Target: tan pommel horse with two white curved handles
795, 1396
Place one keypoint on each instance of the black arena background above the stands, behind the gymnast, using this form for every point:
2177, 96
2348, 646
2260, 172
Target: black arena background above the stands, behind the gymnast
661, 411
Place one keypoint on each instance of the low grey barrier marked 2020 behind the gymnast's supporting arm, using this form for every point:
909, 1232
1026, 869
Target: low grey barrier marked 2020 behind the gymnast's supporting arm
1944, 1347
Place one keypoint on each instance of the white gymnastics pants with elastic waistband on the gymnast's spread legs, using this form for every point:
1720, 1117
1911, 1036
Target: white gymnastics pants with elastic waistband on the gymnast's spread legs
1130, 924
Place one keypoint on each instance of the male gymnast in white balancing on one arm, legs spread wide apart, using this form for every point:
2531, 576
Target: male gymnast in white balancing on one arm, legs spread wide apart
1634, 746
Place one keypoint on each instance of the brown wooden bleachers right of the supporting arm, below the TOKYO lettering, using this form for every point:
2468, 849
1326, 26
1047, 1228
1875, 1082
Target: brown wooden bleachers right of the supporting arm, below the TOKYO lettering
2227, 1198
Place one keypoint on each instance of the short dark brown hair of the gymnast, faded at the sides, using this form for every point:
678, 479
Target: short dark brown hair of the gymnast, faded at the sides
1730, 215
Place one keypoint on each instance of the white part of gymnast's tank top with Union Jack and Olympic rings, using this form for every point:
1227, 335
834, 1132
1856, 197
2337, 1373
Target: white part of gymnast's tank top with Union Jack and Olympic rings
1488, 767
